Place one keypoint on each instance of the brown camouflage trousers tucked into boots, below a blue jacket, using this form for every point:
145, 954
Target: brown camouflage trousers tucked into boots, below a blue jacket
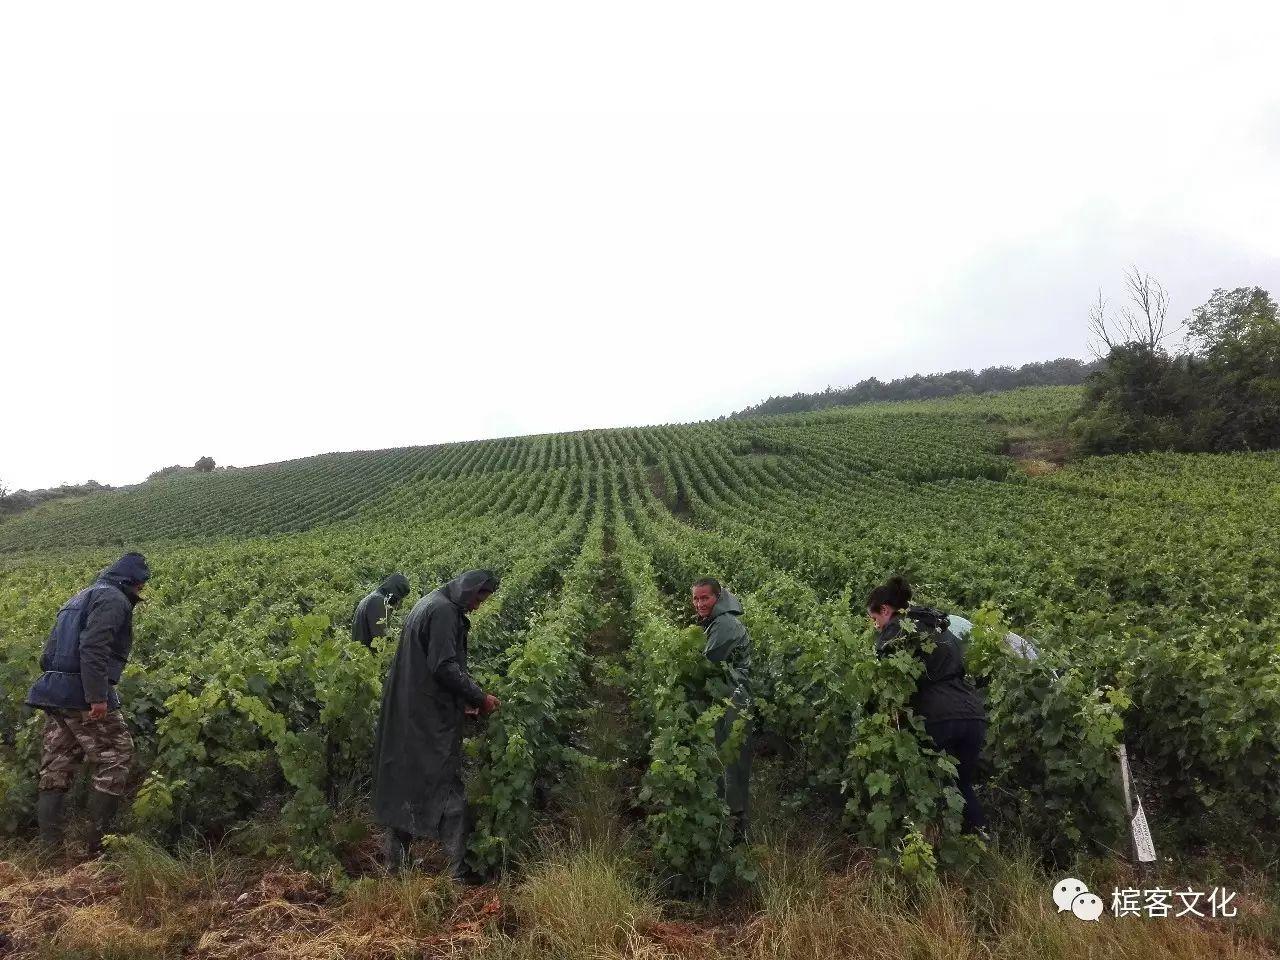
71, 739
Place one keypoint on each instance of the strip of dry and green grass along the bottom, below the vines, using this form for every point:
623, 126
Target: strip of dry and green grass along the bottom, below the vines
586, 900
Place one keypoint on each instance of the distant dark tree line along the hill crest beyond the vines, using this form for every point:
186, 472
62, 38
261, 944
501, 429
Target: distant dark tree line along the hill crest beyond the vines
1064, 372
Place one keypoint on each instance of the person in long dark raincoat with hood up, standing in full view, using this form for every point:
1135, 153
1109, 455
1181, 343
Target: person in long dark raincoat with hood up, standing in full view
418, 757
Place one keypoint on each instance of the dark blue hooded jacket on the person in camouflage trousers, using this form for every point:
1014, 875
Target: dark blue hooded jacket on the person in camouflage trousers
92, 641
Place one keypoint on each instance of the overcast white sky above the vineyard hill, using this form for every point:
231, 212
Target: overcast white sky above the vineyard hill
263, 231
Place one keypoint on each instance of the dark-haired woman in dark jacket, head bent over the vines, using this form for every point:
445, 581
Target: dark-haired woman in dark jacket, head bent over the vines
953, 712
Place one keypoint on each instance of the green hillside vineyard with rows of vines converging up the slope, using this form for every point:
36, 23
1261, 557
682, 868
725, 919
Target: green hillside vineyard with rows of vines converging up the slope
1149, 583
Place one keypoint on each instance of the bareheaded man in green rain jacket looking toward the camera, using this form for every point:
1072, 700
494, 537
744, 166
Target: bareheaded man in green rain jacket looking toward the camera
730, 646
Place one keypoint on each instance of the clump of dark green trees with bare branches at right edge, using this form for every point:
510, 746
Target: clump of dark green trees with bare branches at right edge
1222, 392
